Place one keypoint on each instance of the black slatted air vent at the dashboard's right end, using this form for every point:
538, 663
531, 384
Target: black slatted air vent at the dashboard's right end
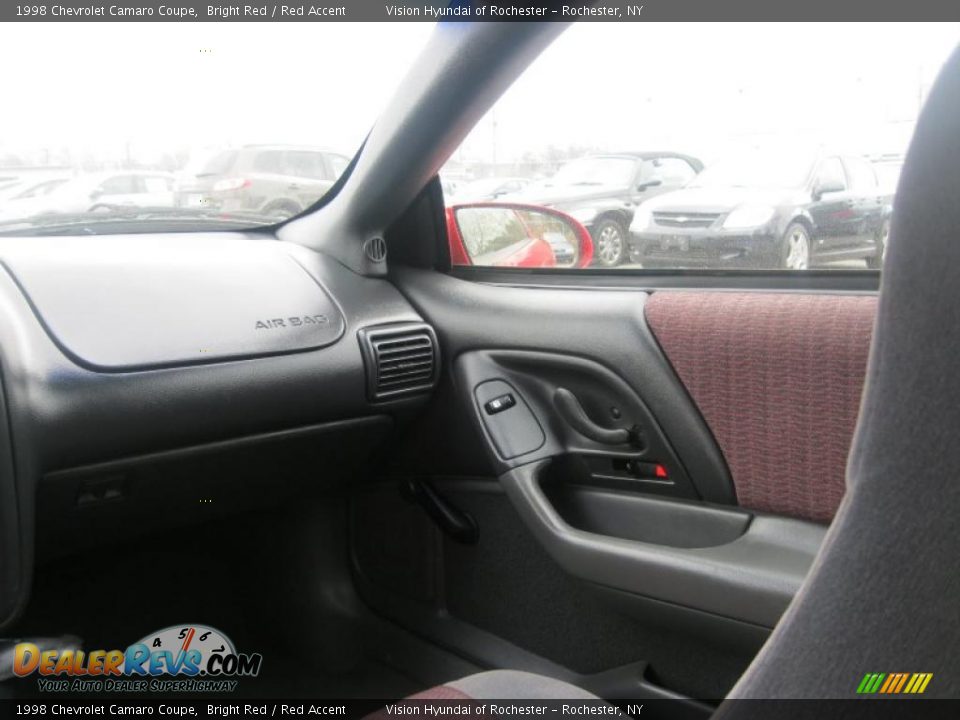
401, 359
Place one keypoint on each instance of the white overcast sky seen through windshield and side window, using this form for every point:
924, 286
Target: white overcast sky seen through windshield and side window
693, 87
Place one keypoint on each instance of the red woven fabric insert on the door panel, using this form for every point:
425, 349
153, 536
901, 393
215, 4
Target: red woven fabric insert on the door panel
778, 378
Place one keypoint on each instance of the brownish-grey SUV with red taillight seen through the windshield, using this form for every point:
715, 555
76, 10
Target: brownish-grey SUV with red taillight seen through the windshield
275, 180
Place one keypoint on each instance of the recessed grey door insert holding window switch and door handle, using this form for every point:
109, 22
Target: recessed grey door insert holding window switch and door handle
617, 450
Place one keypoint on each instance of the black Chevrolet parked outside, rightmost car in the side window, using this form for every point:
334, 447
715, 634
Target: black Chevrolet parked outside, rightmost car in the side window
767, 210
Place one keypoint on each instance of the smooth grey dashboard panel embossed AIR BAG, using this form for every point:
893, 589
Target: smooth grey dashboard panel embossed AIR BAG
129, 303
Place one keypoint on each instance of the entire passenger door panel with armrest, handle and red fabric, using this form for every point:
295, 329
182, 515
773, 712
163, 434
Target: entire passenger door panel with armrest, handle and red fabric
689, 556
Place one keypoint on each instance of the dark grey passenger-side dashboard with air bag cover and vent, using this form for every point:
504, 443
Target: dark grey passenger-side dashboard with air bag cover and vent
146, 377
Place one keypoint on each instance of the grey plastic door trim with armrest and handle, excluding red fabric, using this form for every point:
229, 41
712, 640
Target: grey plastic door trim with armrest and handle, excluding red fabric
685, 542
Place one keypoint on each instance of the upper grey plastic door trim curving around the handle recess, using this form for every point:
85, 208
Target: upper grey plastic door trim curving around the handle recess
609, 332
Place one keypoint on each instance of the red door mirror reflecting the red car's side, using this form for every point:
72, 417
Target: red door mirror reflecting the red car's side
499, 234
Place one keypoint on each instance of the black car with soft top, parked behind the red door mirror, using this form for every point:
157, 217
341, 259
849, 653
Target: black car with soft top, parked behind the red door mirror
603, 191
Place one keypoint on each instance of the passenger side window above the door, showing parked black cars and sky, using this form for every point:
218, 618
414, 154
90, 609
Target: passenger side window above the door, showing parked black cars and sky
737, 163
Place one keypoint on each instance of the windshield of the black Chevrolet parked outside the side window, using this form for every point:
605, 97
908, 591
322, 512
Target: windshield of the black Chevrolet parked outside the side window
758, 170
